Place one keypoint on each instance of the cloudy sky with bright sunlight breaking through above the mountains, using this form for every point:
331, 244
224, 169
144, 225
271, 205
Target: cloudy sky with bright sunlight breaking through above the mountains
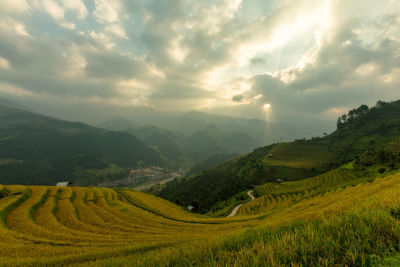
307, 58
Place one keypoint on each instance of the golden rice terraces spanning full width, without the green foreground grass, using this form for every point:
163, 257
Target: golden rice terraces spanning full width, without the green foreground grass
55, 226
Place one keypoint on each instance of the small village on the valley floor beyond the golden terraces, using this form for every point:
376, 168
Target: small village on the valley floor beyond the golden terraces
144, 178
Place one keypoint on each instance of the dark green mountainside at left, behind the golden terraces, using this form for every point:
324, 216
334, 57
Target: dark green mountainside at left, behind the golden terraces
36, 149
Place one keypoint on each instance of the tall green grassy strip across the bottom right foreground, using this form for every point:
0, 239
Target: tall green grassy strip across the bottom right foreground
358, 238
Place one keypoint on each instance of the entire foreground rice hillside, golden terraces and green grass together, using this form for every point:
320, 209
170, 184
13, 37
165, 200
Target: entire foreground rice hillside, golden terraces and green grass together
298, 224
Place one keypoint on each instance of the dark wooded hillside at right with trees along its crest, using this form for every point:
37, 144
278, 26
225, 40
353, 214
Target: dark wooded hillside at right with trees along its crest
296, 160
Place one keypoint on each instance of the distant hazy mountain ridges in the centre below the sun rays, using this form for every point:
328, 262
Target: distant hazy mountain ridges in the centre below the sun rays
196, 136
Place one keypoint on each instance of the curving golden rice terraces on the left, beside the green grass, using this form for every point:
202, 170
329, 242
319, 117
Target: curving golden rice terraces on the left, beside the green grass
70, 225
